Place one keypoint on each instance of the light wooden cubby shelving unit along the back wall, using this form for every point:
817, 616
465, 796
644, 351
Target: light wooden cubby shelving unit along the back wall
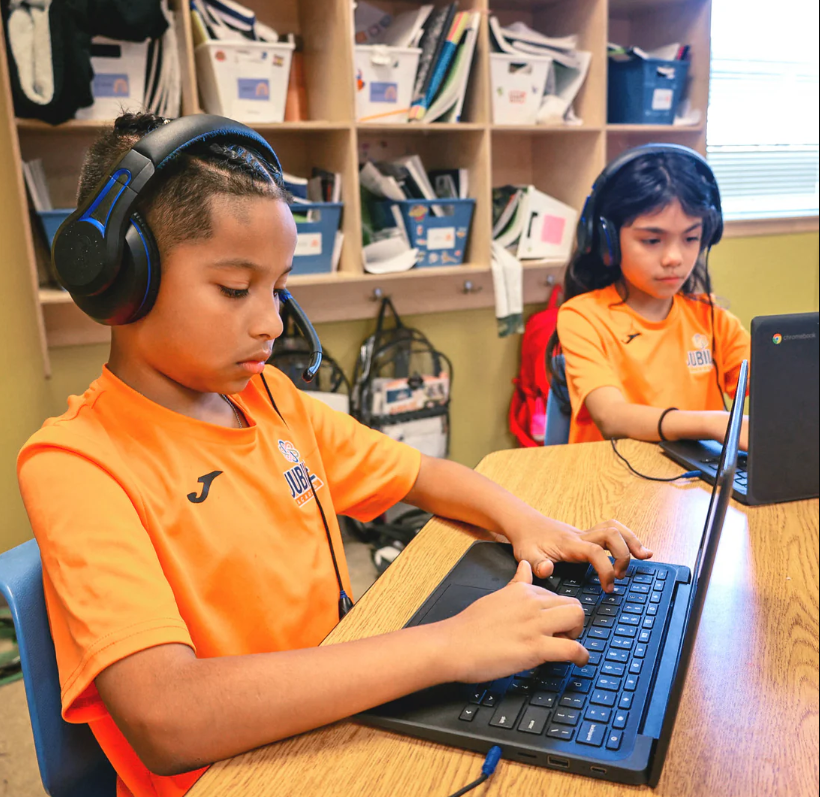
561, 160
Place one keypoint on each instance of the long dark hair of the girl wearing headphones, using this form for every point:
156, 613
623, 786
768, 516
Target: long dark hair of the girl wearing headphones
643, 186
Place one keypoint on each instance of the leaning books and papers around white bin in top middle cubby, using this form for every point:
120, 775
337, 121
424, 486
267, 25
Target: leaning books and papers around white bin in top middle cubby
447, 39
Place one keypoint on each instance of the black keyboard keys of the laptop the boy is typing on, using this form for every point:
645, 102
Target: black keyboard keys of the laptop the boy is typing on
589, 705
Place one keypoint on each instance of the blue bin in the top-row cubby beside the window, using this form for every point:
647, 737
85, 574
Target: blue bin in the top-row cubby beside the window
645, 91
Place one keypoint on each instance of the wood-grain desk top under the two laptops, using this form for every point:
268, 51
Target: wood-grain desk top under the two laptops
748, 723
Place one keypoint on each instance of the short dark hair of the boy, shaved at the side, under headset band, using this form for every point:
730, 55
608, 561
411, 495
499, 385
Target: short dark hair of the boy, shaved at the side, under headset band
178, 207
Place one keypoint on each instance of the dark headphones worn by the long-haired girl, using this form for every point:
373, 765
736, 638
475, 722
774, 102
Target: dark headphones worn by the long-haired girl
595, 232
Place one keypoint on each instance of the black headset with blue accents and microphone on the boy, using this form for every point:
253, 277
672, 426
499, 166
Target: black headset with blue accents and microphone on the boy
104, 253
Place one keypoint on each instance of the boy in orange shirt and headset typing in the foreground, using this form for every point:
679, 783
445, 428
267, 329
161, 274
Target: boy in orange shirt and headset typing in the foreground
185, 506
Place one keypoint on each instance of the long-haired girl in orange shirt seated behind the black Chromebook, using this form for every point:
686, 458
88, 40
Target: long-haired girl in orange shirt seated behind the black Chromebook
648, 354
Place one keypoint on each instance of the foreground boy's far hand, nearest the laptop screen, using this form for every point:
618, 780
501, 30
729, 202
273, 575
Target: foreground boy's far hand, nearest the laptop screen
544, 541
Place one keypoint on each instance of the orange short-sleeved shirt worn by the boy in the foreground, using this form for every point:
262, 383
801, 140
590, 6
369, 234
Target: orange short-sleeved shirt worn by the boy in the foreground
156, 528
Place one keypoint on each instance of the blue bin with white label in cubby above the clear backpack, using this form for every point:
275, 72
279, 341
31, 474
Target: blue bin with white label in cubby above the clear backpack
441, 240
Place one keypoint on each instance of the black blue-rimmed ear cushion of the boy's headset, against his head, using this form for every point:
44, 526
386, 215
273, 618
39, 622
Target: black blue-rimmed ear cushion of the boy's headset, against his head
135, 288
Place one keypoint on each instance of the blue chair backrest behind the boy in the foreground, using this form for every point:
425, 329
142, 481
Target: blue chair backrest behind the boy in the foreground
71, 762
